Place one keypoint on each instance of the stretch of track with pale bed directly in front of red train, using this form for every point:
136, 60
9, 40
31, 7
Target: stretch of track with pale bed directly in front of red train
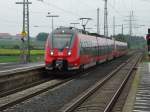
20, 96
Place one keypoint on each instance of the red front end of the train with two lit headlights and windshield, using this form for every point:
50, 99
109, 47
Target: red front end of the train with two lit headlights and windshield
62, 52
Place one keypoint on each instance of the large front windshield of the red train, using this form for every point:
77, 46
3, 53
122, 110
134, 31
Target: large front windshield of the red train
61, 41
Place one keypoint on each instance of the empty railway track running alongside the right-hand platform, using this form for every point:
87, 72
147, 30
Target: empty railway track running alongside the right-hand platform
102, 96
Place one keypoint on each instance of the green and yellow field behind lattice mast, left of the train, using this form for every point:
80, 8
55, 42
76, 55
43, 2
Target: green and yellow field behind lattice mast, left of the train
10, 50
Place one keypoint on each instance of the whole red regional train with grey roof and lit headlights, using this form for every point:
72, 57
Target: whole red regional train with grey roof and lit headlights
70, 49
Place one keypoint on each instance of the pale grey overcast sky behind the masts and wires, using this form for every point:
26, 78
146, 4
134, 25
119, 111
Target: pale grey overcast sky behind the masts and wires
70, 11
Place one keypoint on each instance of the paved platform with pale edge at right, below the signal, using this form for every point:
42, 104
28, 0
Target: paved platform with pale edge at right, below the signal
139, 96
